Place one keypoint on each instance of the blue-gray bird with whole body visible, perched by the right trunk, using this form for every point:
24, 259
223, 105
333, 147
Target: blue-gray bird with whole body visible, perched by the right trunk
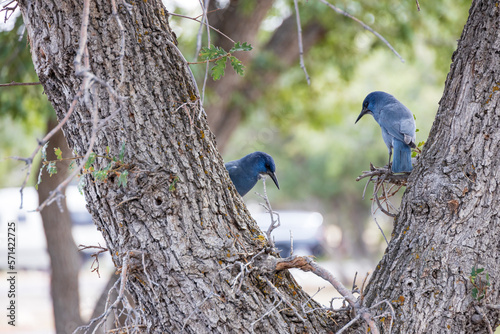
398, 127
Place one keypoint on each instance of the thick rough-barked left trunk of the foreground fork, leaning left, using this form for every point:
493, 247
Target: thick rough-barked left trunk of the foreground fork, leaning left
187, 229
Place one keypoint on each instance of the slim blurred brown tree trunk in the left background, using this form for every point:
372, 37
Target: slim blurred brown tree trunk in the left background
65, 261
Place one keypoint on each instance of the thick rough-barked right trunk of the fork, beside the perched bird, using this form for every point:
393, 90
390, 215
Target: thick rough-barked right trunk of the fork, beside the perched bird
449, 220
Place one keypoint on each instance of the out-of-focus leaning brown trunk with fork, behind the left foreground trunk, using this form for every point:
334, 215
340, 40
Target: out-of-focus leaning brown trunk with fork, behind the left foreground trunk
241, 20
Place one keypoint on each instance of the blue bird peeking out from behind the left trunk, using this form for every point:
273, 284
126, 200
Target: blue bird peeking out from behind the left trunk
246, 171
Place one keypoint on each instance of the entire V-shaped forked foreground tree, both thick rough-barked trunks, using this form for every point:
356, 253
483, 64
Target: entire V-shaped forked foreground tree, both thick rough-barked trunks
180, 212
